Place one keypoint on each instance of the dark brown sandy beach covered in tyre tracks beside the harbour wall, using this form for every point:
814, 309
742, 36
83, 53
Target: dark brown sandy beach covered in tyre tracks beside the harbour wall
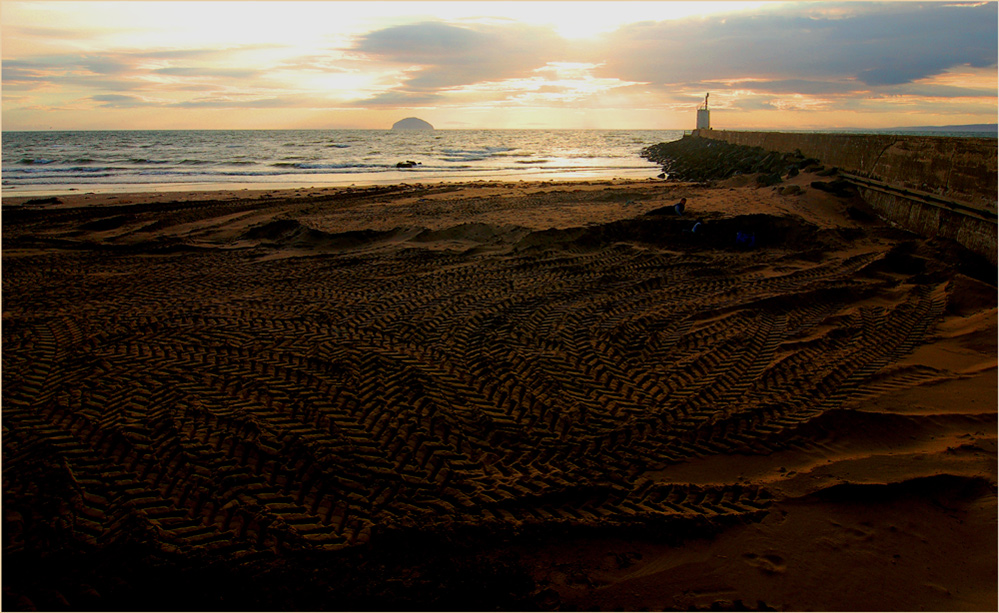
479, 396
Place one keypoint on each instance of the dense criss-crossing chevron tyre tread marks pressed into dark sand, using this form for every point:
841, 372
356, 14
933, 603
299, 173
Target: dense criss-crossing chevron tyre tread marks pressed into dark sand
216, 402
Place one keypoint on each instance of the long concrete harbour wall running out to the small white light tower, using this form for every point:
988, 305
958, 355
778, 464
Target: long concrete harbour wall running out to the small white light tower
932, 185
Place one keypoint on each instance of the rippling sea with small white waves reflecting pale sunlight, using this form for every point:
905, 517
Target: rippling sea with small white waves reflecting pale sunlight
53, 162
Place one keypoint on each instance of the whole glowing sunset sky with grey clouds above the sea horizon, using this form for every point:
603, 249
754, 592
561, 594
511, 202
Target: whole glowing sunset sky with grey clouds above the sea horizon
463, 65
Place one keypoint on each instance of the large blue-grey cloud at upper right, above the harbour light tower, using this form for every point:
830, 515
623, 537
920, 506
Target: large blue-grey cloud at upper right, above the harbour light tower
870, 44
